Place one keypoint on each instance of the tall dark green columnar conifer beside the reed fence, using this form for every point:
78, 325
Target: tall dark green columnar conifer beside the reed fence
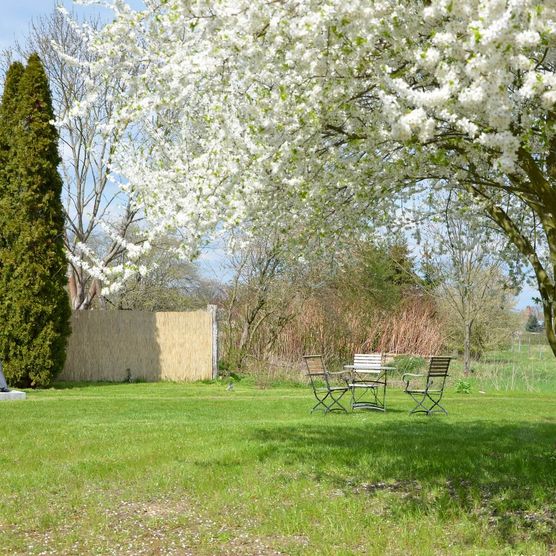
34, 306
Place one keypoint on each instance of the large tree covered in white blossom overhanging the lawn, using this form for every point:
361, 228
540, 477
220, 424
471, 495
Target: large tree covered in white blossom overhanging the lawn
312, 111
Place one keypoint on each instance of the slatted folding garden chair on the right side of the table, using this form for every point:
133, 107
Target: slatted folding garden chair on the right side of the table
428, 398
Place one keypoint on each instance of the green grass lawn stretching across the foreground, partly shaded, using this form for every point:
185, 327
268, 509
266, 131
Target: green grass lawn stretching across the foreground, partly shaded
196, 469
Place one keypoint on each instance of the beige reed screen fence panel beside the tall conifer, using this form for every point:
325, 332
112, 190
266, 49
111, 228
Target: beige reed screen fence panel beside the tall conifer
112, 345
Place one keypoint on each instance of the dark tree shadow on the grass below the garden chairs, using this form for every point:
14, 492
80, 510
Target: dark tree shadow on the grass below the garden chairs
504, 474
